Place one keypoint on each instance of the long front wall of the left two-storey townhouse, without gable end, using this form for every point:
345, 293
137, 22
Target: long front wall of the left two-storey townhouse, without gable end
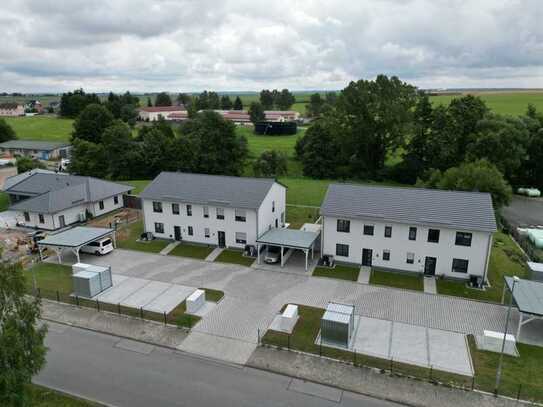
228, 225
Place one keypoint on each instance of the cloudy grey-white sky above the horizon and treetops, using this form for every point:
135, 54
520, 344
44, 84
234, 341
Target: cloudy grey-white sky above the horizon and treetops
238, 45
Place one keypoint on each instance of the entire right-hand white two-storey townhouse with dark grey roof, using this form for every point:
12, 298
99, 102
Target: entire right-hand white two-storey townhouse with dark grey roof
429, 231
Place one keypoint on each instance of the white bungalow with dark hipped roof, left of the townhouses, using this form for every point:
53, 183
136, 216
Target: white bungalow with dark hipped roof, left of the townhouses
48, 200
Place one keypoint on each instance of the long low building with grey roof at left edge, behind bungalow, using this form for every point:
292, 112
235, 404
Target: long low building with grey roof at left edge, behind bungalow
43, 150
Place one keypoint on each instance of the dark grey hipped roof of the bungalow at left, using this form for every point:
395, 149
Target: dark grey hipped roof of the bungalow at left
51, 192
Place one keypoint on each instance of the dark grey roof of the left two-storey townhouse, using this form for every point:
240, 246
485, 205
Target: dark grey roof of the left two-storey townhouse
217, 190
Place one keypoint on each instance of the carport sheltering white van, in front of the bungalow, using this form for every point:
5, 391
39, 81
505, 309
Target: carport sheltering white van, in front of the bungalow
74, 239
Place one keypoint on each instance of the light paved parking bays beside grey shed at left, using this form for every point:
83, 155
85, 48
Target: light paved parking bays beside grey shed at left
154, 296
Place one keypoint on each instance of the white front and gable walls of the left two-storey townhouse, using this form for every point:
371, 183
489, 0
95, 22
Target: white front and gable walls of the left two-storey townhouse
205, 230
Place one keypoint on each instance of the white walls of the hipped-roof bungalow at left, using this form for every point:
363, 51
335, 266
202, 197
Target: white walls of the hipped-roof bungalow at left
71, 215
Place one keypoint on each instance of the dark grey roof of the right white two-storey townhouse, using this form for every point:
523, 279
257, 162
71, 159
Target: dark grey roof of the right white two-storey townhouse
450, 209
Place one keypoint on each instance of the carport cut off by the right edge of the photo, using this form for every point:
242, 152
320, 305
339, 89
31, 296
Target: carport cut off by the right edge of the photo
528, 296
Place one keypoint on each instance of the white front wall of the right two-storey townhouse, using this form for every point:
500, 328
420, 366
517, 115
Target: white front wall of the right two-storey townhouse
400, 247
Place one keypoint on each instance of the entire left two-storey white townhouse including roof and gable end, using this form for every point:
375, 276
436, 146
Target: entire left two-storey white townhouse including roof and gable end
213, 209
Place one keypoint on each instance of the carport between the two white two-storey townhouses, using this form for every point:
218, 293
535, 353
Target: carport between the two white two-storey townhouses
290, 239
